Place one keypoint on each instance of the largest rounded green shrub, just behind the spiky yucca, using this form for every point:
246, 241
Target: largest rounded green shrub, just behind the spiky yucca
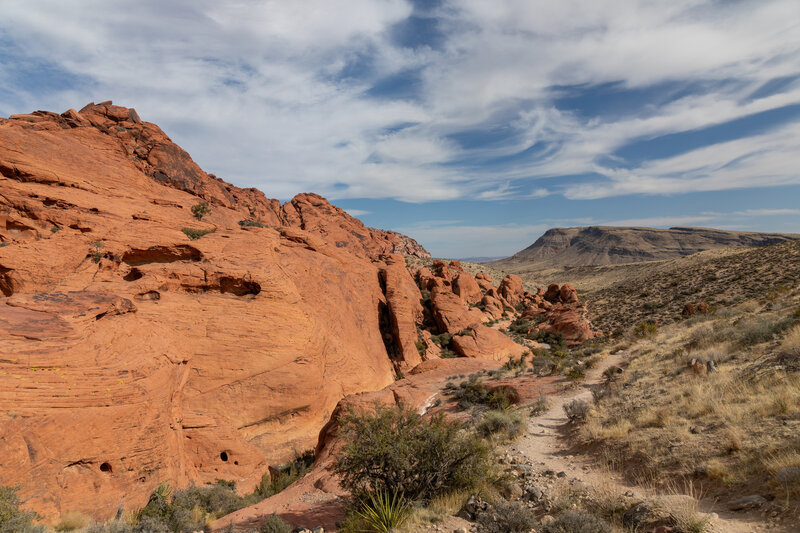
397, 451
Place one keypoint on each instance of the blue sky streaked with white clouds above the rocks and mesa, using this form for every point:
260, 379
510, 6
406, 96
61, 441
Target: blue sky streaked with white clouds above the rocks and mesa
471, 125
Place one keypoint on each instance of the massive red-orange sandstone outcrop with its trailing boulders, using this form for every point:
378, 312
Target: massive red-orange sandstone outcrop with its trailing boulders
159, 324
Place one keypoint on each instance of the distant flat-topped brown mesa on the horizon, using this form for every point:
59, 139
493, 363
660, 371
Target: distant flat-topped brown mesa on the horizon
608, 245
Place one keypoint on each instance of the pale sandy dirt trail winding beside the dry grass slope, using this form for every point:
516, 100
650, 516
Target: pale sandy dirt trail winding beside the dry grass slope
545, 447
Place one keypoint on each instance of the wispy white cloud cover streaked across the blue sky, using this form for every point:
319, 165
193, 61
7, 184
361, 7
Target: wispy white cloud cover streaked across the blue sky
254, 91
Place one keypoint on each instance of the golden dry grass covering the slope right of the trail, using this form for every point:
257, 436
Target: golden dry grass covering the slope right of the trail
724, 426
